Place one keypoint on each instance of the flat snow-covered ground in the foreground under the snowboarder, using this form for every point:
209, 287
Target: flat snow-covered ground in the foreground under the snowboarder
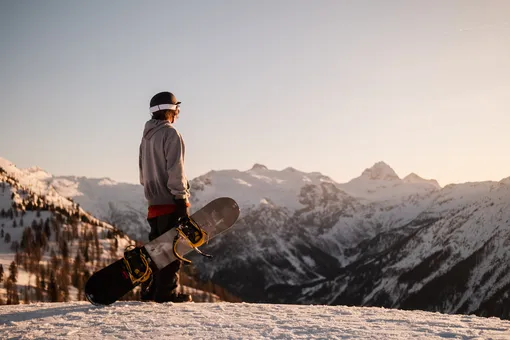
131, 320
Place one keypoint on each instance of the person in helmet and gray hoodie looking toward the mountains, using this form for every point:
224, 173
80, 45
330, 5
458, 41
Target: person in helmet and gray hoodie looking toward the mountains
166, 188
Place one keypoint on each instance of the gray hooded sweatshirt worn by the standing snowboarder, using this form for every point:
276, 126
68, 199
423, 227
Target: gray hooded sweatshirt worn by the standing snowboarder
161, 163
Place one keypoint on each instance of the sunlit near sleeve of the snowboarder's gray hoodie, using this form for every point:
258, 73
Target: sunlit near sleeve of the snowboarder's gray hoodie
174, 154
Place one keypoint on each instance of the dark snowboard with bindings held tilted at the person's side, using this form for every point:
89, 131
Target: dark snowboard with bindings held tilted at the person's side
112, 282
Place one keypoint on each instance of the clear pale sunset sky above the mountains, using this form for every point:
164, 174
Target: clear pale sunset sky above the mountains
328, 86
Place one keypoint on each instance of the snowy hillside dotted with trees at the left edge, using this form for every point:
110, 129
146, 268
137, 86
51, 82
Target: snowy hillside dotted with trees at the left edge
49, 223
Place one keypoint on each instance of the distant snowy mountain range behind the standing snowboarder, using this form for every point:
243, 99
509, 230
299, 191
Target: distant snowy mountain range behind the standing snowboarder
377, 240
